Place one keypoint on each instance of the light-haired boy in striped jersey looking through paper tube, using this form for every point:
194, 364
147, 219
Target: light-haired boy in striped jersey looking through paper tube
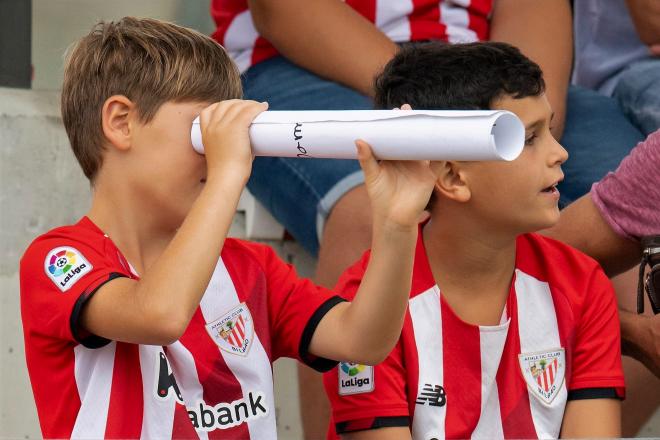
143, 319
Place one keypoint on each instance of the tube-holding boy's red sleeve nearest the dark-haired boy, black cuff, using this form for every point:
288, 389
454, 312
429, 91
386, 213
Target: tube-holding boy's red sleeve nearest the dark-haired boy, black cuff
295, 307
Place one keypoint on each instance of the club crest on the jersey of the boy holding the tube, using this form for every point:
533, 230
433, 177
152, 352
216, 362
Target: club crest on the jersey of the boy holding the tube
233, 332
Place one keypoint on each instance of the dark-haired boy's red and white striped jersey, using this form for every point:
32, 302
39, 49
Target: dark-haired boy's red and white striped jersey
558, 340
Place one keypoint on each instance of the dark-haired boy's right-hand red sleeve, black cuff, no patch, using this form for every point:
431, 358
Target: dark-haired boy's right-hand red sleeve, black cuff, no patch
596, 365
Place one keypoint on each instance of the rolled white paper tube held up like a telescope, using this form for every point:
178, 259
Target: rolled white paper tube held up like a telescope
392, 134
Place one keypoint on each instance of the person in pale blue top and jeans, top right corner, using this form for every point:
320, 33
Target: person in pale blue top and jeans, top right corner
617, 53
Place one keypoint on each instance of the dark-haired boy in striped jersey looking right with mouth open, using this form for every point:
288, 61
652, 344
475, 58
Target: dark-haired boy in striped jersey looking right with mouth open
509, 334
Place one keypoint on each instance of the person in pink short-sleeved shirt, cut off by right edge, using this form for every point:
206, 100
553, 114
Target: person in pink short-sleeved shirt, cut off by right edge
607, 224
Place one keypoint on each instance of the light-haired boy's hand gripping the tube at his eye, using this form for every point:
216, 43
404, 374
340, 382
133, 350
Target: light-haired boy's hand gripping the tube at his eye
225, 135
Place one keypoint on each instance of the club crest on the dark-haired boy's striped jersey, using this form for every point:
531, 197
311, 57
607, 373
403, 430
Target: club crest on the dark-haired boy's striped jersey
544, 372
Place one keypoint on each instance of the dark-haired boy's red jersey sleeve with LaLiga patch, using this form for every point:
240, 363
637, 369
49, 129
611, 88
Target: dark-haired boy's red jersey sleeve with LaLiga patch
365, 397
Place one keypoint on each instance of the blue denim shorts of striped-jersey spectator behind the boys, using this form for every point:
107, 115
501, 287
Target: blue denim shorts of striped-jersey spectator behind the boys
300, 193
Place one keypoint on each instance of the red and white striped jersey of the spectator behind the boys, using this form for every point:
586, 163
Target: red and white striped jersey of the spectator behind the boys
401, 20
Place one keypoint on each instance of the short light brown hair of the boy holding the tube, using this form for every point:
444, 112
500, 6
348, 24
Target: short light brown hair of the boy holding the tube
148, 61
